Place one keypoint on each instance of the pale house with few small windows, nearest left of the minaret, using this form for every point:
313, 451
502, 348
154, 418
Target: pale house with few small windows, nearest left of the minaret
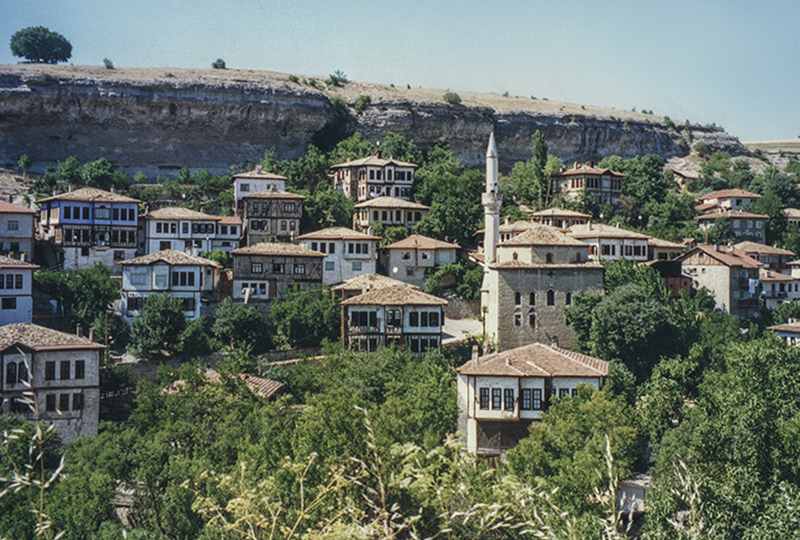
408, 259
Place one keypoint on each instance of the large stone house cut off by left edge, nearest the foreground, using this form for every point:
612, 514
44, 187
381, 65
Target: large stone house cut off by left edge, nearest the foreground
51, 376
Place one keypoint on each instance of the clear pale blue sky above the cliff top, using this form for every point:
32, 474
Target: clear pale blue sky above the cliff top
734, 63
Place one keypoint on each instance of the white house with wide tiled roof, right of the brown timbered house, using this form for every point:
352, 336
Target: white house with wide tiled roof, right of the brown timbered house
347, 253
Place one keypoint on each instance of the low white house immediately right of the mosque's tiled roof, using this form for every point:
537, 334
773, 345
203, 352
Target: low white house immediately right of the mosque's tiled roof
607, 243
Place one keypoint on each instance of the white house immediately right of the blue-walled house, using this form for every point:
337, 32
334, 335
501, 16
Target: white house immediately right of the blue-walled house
180, 229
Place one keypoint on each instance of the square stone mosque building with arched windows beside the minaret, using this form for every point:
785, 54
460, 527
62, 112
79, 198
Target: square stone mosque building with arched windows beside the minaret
532, 282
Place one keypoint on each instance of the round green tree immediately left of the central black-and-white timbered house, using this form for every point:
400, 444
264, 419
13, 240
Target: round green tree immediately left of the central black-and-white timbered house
307, 316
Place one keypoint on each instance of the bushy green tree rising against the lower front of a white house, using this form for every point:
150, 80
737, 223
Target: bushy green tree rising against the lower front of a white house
157, 329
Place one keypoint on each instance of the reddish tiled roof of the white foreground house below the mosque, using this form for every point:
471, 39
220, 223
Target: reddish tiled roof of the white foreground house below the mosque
537, 360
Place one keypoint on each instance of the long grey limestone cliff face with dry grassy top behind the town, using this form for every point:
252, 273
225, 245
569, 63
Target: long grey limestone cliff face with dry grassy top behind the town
160, 123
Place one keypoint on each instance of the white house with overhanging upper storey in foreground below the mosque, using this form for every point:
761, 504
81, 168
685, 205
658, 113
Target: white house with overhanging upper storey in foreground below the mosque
500, 395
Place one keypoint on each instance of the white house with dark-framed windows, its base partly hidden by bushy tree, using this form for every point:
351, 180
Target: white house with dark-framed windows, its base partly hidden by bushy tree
170, 271
